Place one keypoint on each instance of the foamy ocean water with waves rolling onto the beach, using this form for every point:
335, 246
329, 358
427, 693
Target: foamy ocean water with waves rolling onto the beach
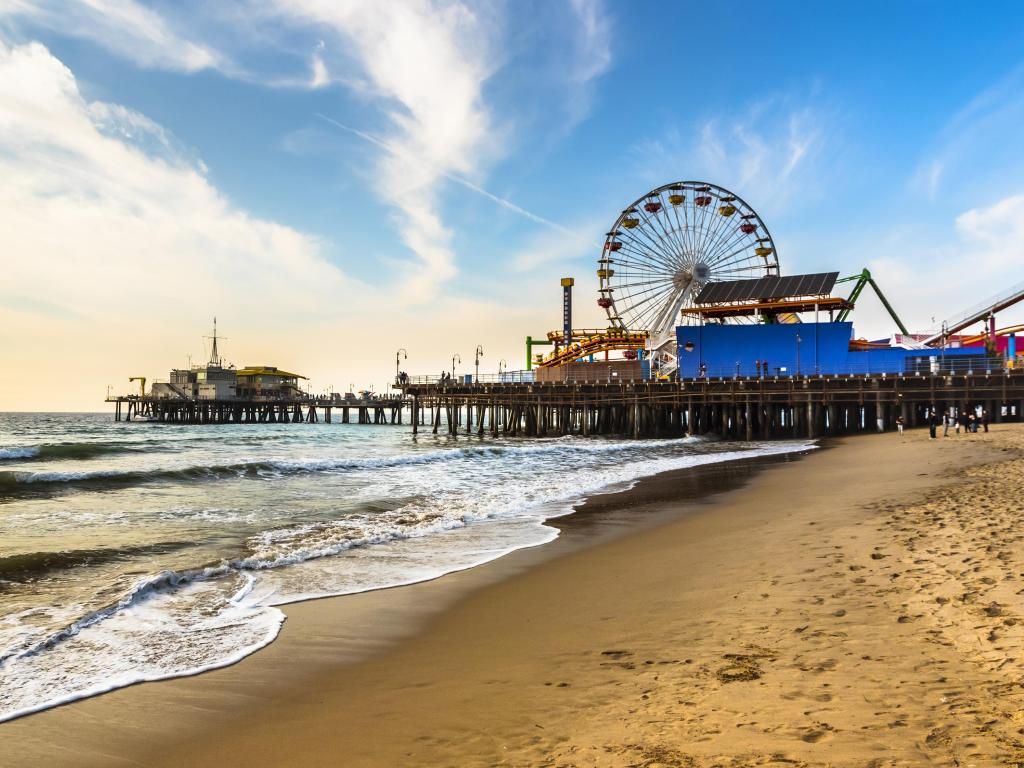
138, 551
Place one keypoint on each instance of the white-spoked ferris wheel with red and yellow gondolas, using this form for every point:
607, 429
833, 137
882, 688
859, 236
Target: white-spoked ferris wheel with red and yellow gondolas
666, 246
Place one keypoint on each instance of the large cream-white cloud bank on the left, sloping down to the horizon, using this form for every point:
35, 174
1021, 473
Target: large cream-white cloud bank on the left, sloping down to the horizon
117, 250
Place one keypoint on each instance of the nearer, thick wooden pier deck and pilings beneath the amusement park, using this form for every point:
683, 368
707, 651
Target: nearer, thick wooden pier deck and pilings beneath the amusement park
742, 408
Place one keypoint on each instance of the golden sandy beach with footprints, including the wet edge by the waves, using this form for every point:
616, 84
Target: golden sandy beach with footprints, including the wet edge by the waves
859, 607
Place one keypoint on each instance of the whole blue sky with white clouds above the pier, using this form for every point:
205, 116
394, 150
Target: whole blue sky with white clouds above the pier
336, 181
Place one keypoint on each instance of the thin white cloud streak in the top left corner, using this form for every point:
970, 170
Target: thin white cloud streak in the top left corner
124, 27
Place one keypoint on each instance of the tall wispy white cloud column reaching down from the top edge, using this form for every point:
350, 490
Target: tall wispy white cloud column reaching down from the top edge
425, 64
